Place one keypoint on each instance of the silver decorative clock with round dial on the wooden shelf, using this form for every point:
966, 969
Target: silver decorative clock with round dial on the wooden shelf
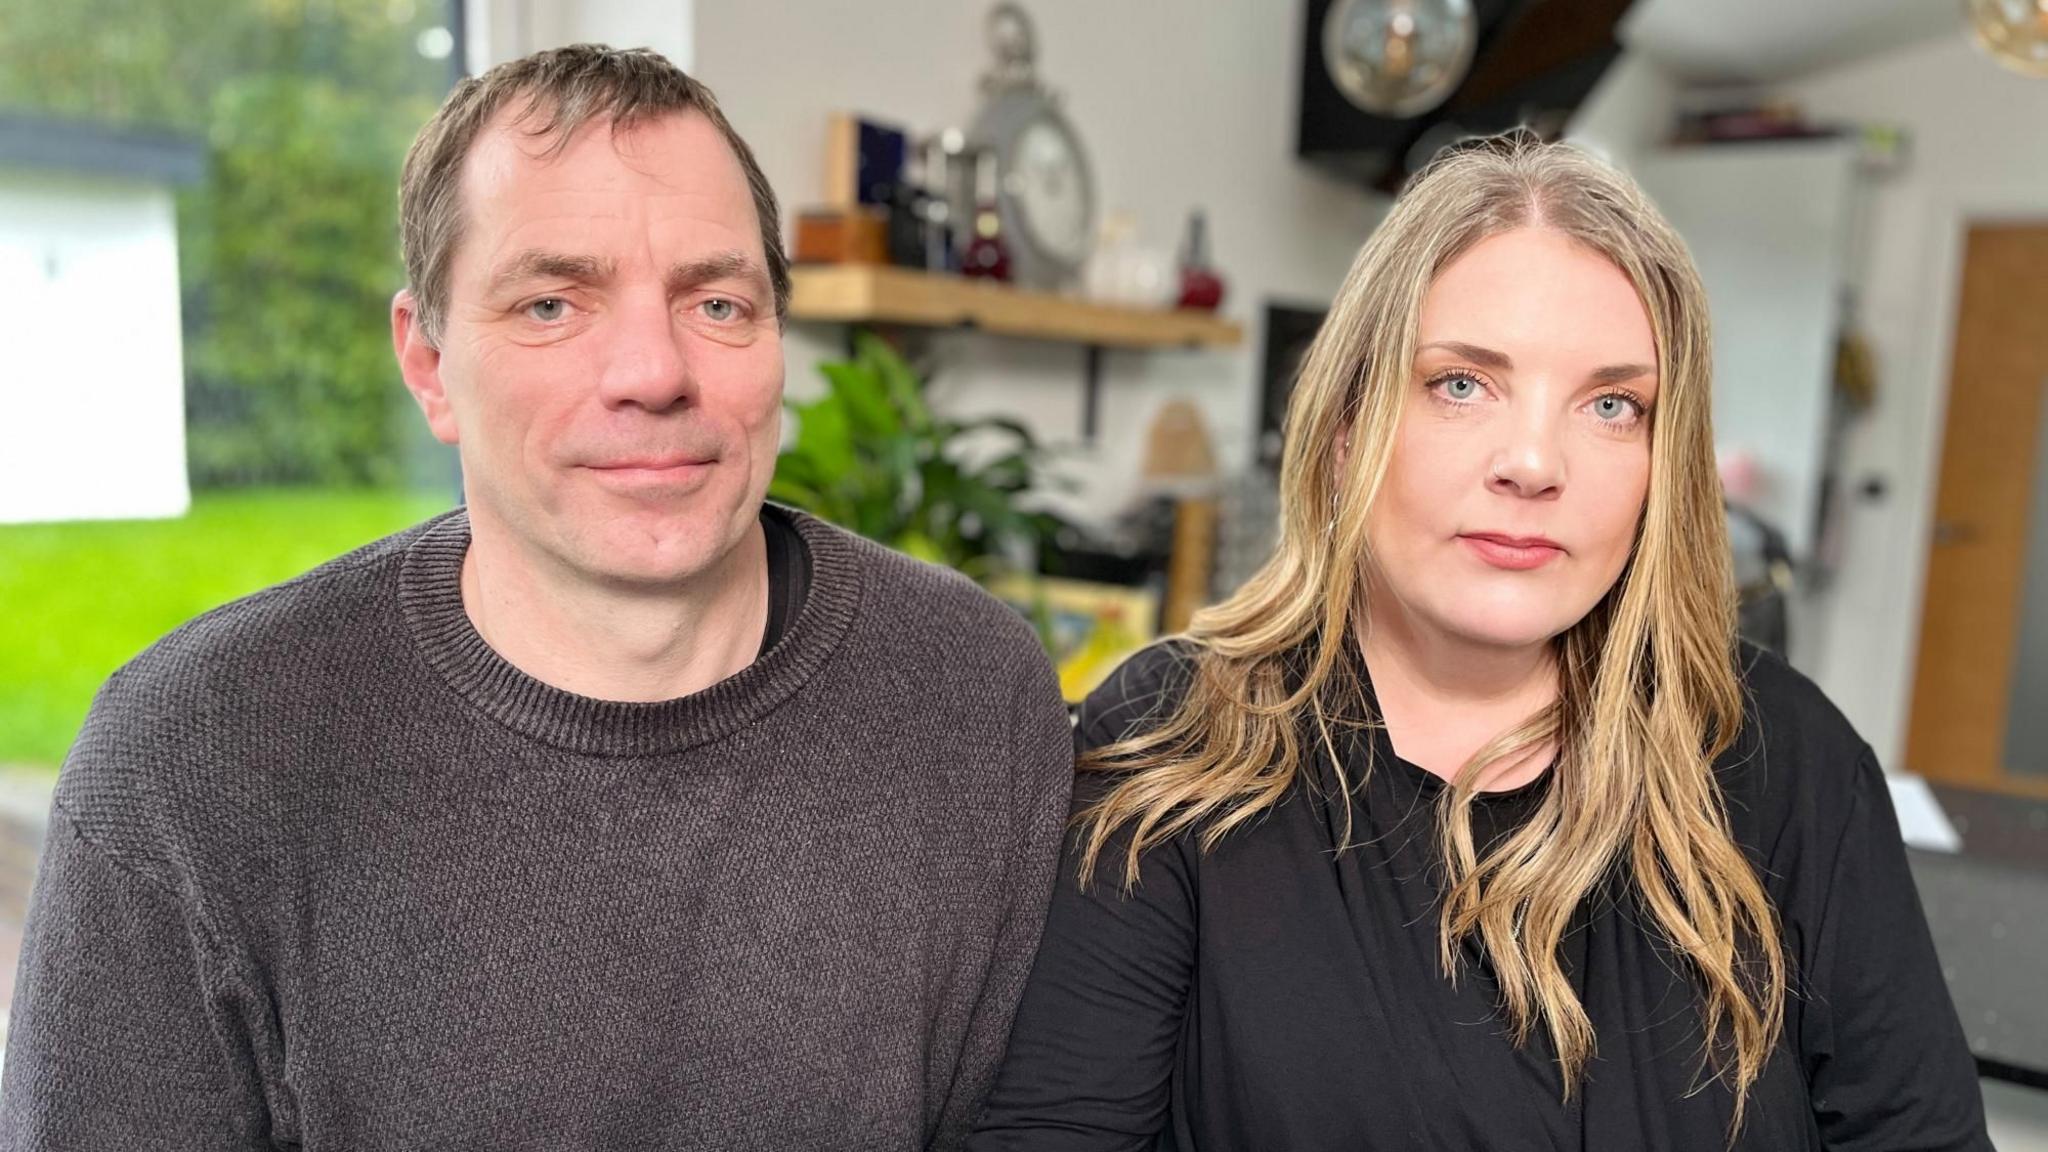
1046, 190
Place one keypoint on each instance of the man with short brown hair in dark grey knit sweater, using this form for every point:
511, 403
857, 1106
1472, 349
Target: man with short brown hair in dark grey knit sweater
620, 811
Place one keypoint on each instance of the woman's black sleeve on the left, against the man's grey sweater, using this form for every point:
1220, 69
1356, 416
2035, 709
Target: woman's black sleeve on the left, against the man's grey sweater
1093, 1051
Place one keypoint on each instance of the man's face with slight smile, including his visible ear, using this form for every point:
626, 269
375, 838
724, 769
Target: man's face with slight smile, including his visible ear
611, 362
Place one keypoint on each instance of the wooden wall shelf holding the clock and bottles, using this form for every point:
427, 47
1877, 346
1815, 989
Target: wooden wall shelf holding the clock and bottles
871, 294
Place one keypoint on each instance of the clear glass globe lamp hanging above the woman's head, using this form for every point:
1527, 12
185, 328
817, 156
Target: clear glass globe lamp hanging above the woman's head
1400, 58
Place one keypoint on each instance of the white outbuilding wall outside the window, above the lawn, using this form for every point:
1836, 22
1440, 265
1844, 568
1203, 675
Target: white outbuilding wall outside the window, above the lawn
93, 374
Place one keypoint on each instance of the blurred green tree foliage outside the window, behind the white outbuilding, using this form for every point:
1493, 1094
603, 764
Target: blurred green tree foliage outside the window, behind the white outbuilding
290, 249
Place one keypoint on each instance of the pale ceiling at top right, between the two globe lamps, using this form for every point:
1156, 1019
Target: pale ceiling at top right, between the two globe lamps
1740, 42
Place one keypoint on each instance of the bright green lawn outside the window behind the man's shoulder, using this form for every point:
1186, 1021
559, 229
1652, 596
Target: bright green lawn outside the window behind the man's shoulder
79, 600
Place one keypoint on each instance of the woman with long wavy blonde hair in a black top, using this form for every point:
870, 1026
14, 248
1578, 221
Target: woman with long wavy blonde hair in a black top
1467, 823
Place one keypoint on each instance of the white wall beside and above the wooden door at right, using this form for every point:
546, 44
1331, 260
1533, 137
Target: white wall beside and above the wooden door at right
1975, 147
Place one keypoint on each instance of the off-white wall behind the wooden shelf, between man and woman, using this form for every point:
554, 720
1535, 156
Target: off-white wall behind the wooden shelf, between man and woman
1181, 106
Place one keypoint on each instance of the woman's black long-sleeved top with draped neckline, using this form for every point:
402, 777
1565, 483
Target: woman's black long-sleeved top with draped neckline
1279, 995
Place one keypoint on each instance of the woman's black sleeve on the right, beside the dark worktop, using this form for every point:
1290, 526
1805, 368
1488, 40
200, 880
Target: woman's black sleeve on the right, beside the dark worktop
1885, 1055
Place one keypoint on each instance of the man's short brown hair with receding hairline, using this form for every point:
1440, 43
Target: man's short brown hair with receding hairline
564, 89
